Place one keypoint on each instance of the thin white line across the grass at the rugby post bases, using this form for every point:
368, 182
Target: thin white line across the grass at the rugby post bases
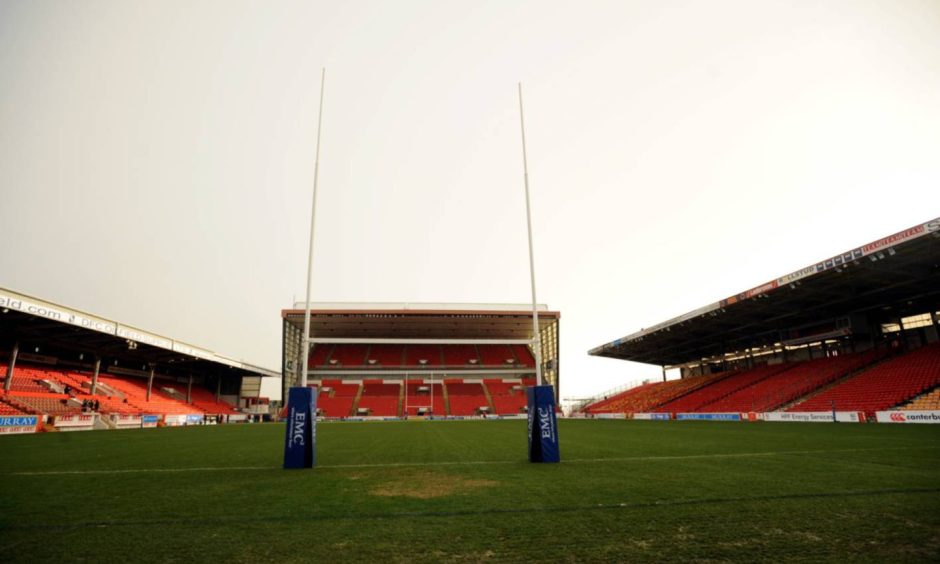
470, 462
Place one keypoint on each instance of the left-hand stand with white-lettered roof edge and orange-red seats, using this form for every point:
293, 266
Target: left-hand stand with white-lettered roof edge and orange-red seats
54, 357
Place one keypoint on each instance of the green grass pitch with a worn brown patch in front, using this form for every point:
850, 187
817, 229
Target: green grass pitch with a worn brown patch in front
463, 492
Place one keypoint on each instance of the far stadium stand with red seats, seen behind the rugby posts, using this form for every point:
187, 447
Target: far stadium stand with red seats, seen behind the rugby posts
408, 346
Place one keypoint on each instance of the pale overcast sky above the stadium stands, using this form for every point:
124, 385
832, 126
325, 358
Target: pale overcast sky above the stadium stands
156, 158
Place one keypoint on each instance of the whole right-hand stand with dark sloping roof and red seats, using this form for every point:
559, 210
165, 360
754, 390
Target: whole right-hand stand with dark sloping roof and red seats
829, 326
